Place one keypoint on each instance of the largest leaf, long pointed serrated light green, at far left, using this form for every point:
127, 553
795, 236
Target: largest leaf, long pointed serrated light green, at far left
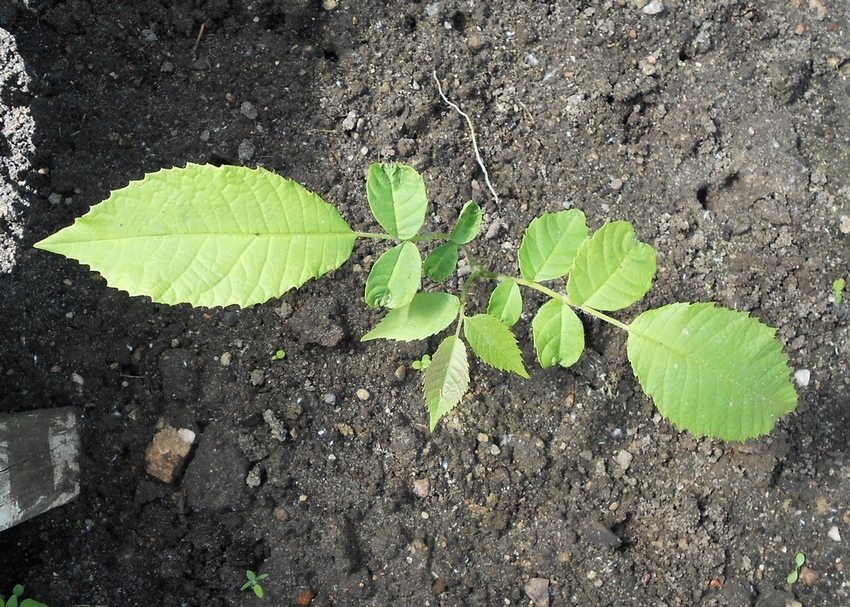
209, 236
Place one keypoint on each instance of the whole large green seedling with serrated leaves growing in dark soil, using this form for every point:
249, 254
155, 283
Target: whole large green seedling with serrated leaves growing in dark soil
227, 235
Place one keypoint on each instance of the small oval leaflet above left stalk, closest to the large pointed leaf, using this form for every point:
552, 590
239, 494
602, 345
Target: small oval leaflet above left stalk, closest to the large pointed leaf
397, 198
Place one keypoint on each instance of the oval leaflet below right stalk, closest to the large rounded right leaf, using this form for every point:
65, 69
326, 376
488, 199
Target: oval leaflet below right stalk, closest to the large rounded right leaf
558, 334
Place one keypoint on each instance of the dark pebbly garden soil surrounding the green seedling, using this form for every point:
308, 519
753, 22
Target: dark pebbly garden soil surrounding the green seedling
720, 128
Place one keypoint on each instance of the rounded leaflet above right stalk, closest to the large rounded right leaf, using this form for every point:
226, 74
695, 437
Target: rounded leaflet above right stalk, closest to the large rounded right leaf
612, 270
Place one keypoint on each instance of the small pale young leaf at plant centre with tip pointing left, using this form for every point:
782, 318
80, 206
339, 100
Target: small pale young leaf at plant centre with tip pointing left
426, 315
